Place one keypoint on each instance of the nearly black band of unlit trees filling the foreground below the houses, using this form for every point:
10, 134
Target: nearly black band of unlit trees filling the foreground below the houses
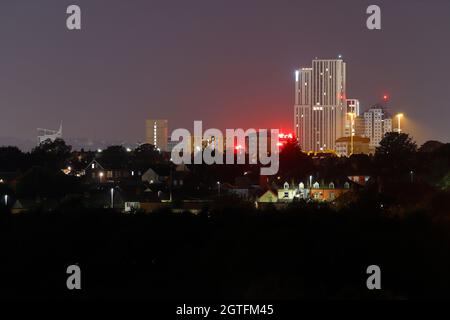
227, 251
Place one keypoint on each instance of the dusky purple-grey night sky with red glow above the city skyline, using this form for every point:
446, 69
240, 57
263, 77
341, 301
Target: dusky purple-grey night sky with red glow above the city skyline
229, 63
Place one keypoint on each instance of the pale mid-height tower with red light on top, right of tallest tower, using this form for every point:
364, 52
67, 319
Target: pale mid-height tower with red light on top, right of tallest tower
377, 123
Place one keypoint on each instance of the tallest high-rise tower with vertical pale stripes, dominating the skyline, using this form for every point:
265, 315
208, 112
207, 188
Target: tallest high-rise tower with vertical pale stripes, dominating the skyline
320, 104
